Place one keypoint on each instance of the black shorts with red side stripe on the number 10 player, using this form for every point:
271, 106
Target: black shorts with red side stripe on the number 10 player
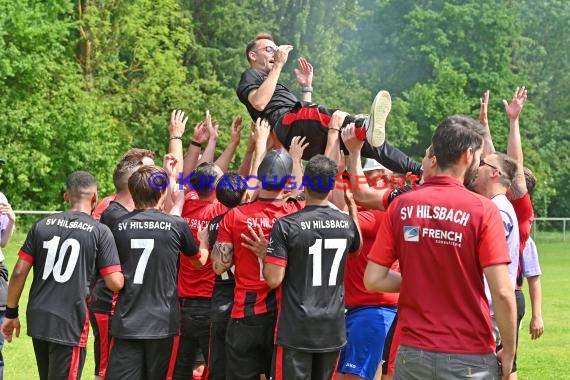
58, 361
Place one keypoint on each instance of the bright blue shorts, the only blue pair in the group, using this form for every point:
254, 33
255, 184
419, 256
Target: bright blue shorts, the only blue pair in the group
366, 329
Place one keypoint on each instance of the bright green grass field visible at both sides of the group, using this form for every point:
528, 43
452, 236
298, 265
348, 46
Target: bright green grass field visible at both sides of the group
546, 358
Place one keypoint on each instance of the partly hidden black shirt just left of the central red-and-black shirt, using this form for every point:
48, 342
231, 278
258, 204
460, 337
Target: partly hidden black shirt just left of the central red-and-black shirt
223, 295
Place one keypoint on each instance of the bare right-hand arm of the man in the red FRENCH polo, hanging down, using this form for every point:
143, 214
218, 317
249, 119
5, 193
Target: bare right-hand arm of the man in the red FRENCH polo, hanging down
503, 296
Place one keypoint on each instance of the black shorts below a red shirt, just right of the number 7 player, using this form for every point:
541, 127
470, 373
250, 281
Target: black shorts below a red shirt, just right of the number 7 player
194, 335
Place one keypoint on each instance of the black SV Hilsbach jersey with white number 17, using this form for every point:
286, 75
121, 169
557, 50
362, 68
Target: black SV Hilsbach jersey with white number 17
312, 244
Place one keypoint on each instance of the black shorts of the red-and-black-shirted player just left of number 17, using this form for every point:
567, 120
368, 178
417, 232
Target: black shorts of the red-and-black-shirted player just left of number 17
249, 346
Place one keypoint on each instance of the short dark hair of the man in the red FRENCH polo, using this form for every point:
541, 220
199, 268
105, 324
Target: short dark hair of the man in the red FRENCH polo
454, 136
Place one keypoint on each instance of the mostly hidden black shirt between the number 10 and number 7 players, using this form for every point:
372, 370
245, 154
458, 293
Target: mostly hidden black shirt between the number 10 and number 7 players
102, 298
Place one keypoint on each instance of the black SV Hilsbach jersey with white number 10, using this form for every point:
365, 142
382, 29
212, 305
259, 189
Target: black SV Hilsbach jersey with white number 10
66, 250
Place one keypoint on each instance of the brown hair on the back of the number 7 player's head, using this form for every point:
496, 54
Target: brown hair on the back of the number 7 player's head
144, 195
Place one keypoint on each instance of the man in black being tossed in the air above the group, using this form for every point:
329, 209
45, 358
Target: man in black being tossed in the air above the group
264, 97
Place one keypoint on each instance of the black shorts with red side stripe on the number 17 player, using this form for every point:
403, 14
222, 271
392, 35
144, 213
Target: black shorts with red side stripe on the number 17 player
289, 363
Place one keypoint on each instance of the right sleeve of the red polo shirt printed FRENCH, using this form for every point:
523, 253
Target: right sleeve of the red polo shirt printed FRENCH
492, 246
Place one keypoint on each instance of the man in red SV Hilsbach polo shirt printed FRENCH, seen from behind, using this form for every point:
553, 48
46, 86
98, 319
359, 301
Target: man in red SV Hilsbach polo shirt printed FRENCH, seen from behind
445, 237
